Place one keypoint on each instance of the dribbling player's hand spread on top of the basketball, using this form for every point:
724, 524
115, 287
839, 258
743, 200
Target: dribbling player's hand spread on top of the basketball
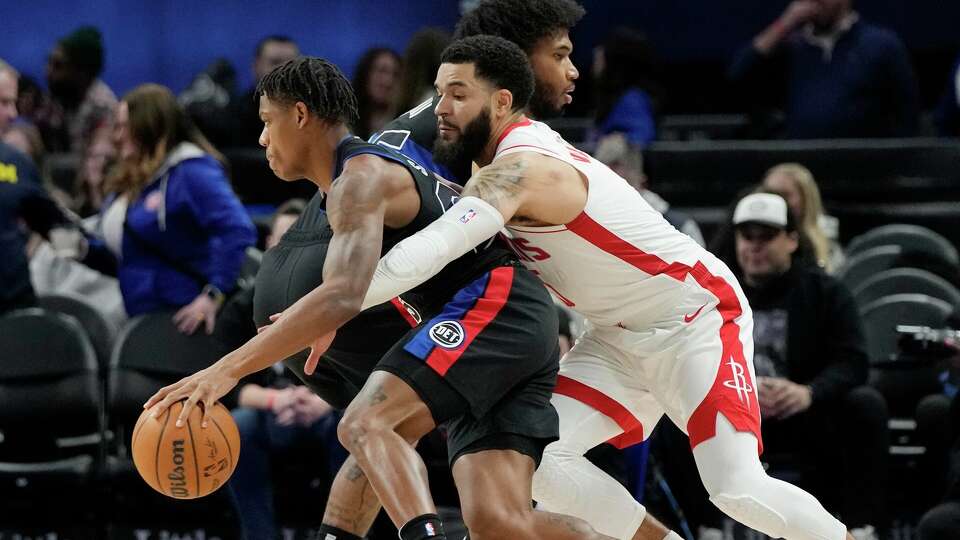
205, 386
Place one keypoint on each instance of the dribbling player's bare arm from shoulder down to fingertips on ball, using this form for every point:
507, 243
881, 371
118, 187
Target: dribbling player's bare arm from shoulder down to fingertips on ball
356, 208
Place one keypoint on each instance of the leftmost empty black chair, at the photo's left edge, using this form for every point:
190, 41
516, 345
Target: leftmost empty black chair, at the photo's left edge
51, 418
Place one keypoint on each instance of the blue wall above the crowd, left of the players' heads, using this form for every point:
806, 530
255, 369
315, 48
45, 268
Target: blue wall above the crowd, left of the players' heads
169, 41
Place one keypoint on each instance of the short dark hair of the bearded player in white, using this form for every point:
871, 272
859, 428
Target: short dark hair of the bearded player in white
496, 60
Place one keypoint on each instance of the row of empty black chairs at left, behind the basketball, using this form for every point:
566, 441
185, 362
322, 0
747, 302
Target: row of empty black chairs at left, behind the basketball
65, 421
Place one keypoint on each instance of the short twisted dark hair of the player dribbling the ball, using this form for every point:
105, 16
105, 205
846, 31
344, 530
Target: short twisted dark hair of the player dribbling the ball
319, 84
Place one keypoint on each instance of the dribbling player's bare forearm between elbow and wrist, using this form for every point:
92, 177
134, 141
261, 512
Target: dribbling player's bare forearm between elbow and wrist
320, 312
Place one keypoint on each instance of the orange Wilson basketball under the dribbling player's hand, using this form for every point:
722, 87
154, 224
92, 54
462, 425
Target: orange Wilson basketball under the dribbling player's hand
189, 461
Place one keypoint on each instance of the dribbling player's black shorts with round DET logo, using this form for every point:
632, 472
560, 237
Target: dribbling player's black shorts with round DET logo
487, 364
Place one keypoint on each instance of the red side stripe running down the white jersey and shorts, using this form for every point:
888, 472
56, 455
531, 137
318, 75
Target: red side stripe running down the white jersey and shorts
739, 406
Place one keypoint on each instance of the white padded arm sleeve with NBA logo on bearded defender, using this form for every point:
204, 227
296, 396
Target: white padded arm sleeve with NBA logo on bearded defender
466, 225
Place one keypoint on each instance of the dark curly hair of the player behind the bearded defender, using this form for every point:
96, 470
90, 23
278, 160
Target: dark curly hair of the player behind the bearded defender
524, 22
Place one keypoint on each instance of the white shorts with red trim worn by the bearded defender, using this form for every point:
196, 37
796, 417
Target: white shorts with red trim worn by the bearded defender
690, 373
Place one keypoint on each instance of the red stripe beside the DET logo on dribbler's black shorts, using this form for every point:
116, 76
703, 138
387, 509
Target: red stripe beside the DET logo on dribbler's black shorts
475, 320
